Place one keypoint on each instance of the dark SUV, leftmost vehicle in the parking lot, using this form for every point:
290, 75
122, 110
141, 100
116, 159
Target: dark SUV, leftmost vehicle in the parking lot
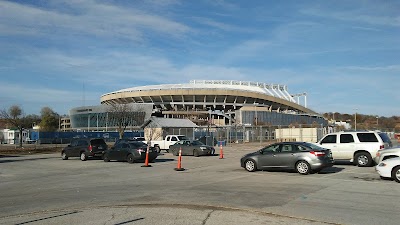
84, 148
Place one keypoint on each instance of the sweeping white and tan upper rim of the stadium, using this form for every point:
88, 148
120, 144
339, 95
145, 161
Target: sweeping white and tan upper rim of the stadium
223, 95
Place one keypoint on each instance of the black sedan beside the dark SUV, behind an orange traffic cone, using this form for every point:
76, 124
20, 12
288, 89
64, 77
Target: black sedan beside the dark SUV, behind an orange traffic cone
130, 151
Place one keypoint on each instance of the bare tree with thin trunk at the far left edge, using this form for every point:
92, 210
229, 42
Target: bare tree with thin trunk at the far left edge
15, 117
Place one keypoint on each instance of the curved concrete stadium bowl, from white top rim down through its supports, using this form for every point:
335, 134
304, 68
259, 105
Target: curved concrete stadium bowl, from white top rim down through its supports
222, 101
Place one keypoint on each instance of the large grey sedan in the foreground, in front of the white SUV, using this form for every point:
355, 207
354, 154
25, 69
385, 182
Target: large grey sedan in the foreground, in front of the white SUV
303, 157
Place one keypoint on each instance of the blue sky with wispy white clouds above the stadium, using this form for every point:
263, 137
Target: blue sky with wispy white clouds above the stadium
344, 54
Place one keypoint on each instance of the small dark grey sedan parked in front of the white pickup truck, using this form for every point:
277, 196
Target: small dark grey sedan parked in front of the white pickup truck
191, 147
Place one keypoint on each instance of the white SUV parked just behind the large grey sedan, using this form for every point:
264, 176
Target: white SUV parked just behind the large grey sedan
357, 146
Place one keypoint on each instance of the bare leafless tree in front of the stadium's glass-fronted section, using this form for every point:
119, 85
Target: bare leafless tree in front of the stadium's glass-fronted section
124, 115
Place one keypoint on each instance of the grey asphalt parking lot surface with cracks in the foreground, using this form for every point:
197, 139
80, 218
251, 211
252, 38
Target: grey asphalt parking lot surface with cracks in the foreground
43, 189
